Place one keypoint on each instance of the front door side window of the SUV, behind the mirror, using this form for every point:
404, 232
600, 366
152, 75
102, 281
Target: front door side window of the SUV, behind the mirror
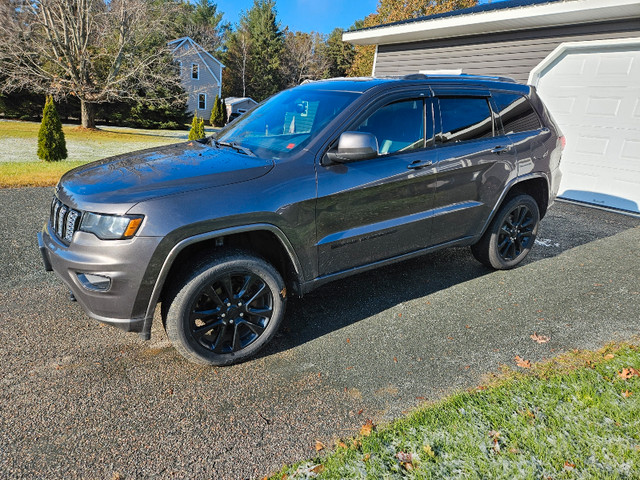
398, 126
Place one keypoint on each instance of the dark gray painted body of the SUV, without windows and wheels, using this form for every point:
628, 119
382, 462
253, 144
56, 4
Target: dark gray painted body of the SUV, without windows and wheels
333, 220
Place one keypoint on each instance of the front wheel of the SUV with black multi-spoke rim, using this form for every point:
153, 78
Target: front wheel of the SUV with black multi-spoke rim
226, 309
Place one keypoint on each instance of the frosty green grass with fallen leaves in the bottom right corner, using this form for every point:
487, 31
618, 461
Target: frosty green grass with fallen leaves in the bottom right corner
577, 416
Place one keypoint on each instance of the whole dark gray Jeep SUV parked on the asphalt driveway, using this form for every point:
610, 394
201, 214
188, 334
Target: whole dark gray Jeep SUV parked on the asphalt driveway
318, 182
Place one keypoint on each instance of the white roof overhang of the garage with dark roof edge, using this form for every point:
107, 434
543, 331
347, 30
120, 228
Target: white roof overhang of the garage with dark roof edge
523, 18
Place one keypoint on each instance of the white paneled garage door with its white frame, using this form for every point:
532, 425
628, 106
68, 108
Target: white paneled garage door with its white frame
592, 90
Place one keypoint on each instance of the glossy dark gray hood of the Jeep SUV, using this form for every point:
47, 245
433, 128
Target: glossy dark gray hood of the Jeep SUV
134, 177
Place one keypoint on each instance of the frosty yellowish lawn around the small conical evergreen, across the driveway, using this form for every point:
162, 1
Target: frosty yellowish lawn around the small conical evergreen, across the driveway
20, 165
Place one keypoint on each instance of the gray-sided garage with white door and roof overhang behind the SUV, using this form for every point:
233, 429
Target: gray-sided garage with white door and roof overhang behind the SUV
583, 56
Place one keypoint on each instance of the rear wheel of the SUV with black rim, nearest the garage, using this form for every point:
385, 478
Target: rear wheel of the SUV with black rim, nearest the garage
510, 235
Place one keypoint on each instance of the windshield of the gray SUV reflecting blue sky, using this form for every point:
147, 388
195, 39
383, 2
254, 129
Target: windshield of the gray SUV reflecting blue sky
286, 122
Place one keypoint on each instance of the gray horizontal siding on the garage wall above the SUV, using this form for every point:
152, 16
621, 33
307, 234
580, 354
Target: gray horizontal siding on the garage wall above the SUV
512, 54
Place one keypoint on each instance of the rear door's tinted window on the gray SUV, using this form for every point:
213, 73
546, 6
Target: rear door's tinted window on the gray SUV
465, 118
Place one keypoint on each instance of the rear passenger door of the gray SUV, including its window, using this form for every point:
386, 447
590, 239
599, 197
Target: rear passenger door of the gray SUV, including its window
475, 161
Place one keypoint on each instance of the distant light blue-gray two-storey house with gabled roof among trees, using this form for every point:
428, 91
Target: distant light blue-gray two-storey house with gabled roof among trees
201, 75
